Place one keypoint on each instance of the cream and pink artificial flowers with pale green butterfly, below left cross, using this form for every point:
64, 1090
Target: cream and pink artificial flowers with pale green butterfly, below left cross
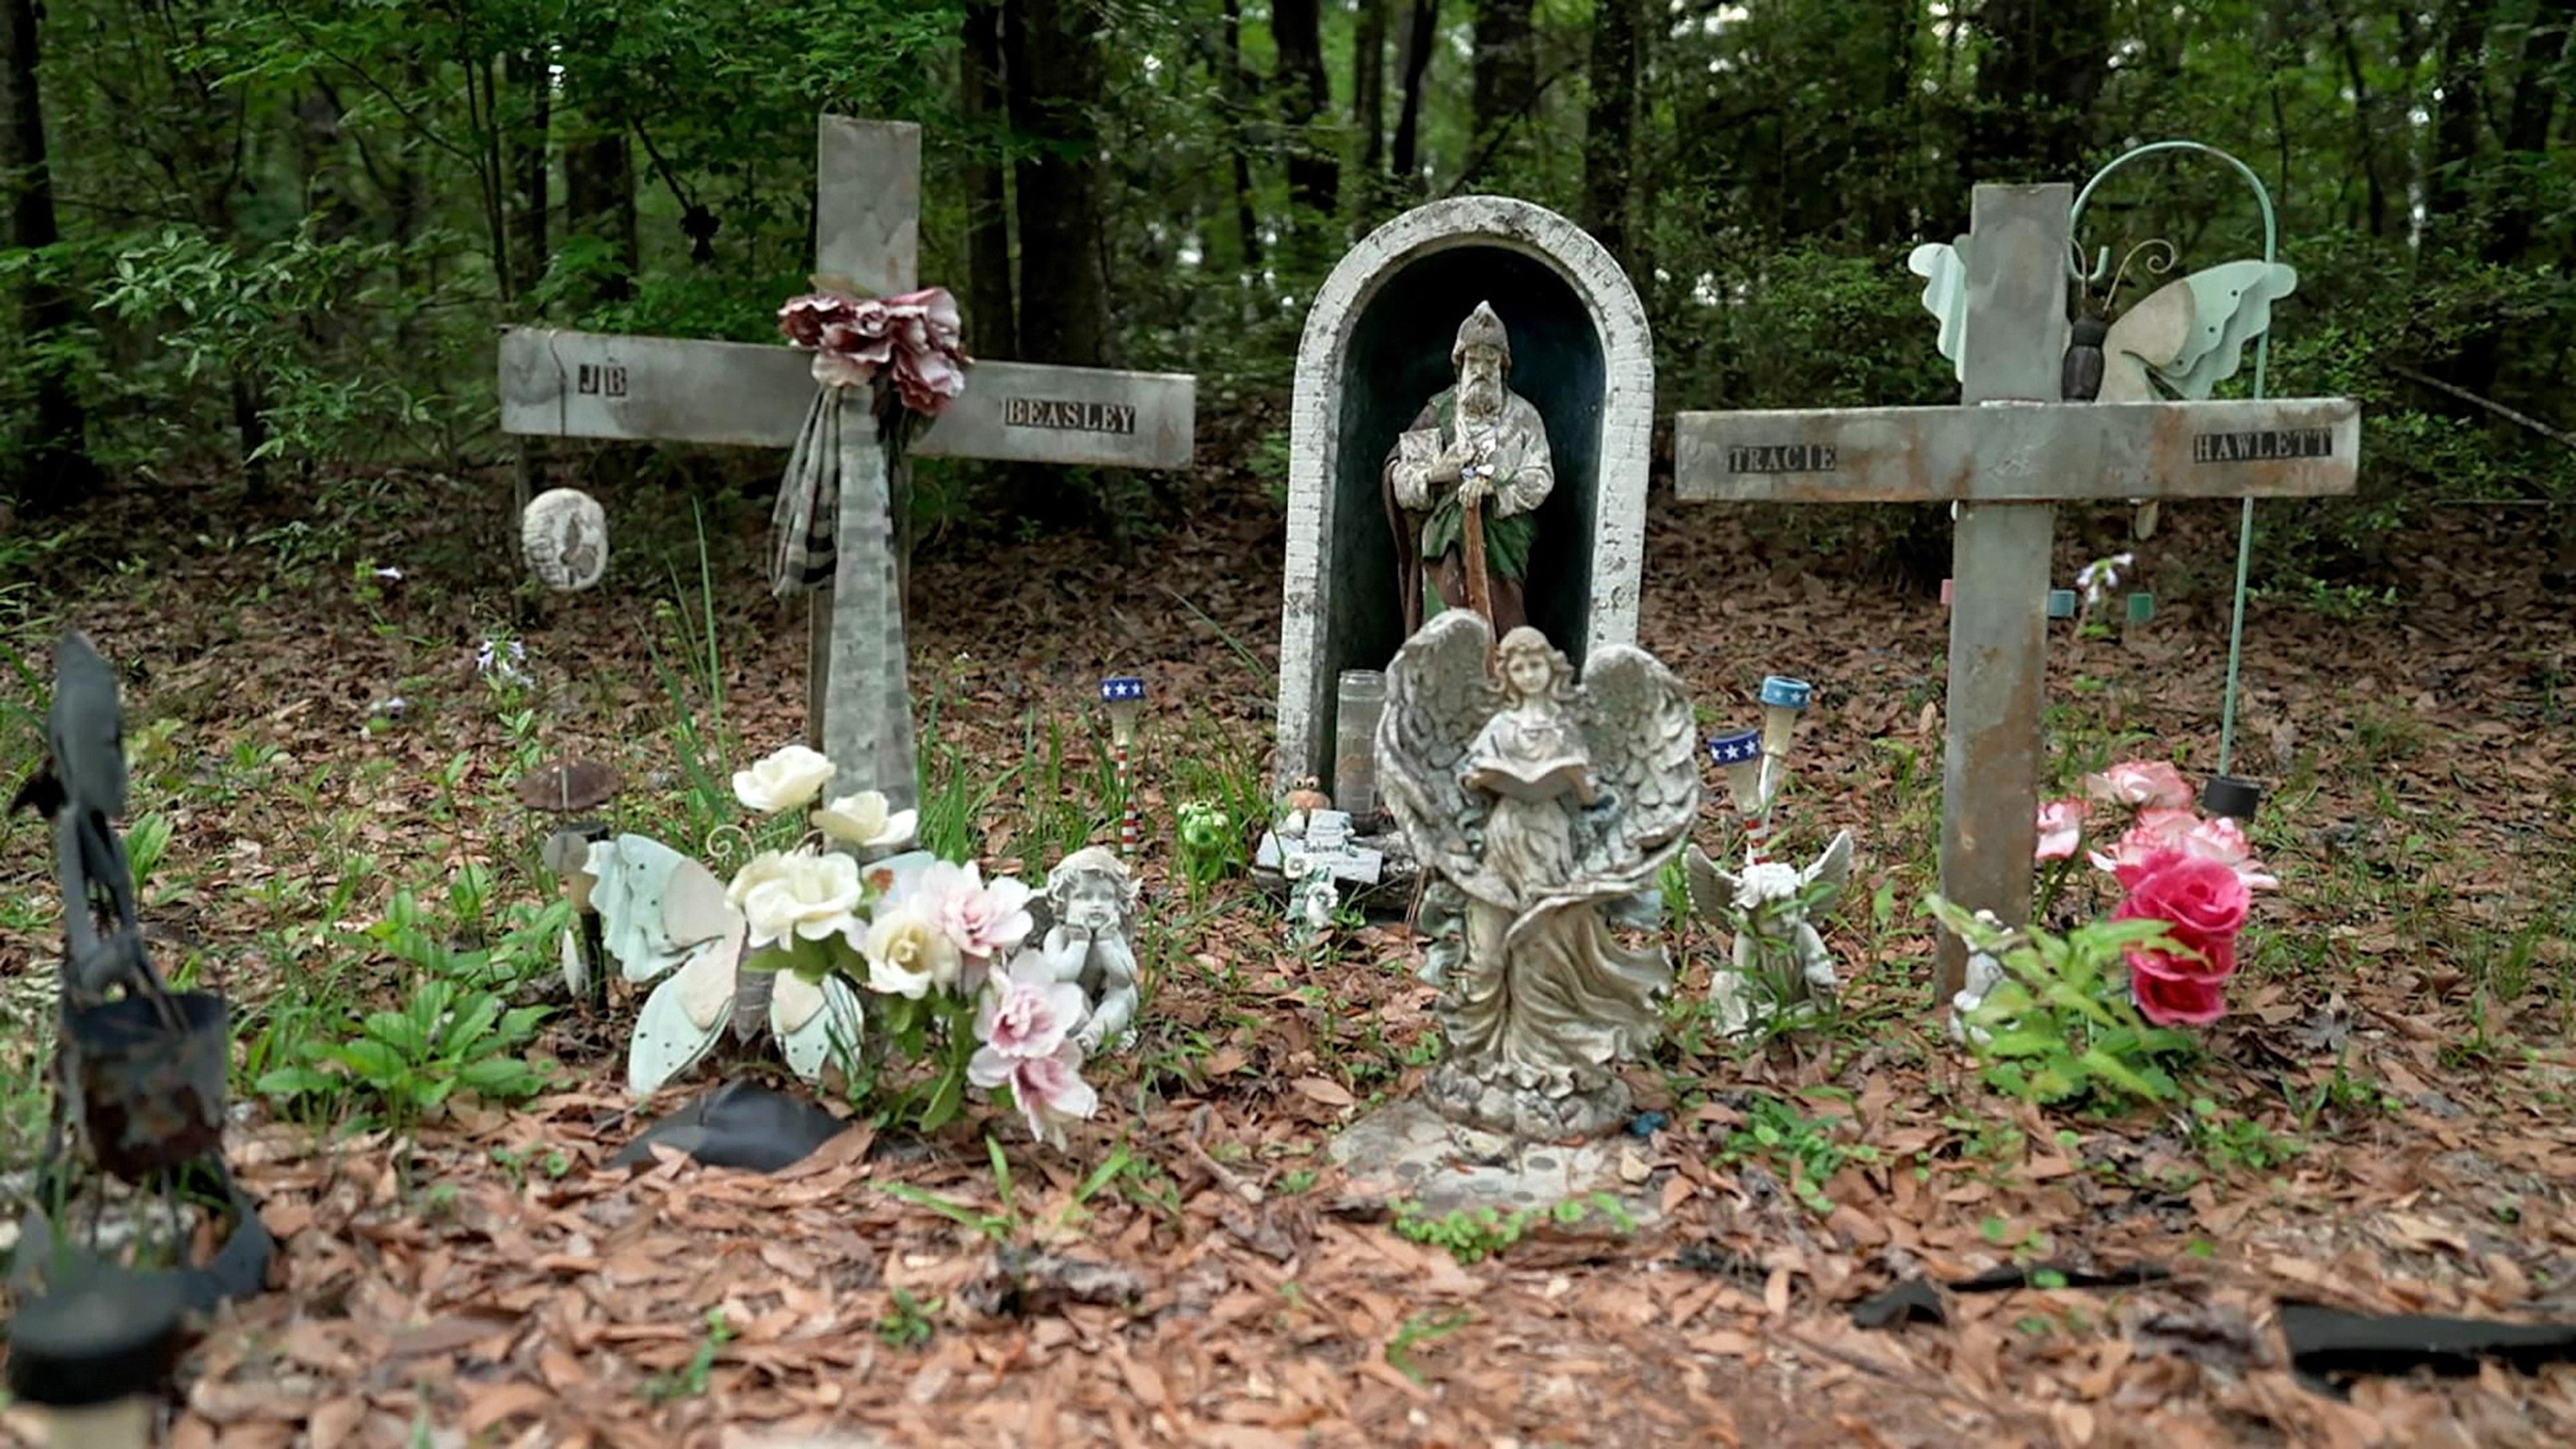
846, 940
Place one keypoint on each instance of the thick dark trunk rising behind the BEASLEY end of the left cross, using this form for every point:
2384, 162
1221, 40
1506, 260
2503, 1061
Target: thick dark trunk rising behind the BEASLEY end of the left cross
1057, 68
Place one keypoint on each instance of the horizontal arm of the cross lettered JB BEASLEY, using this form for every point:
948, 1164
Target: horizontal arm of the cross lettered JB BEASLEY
756, 396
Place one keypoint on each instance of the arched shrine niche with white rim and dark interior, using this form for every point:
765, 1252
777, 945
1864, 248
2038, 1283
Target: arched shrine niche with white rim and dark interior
1377, 349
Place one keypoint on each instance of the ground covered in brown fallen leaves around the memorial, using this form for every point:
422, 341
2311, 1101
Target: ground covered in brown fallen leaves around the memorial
2387, 1107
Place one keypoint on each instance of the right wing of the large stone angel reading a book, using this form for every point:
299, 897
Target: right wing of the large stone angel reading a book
1645, 746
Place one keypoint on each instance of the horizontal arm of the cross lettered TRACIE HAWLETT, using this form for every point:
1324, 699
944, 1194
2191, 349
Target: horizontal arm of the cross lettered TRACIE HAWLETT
2021, 452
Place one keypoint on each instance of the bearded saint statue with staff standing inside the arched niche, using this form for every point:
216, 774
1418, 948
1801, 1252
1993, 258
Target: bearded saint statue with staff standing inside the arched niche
1485, 445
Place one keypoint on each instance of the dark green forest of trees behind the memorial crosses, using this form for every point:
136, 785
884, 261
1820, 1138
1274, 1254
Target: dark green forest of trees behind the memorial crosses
277, 236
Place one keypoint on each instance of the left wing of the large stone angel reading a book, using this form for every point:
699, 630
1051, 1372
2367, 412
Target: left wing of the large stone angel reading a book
1436, 703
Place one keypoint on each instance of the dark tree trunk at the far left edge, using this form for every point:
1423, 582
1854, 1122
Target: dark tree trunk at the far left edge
55, 468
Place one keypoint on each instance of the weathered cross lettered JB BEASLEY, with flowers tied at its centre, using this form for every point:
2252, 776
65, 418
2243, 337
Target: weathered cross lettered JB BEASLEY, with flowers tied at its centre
867, 233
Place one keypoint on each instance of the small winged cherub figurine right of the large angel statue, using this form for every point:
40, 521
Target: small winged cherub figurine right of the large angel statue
1779, 960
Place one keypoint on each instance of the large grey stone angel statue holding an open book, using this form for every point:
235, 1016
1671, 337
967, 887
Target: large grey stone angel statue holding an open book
1542, 808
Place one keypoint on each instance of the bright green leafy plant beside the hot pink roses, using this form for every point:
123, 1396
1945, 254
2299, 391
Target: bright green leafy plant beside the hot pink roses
2062, 1027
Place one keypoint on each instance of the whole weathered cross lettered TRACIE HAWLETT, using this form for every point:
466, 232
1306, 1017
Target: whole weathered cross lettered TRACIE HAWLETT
2005, 458
